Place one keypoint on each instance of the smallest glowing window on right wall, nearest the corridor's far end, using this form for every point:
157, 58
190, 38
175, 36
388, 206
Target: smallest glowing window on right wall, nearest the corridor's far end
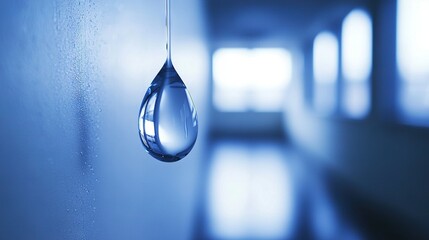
325, 69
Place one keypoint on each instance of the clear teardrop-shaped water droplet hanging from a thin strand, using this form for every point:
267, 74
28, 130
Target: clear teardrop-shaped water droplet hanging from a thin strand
168, 120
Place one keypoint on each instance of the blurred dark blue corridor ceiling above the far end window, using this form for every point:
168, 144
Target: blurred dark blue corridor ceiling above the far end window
284, 22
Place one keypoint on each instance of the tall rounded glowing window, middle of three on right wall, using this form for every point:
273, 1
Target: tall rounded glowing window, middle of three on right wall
356, 63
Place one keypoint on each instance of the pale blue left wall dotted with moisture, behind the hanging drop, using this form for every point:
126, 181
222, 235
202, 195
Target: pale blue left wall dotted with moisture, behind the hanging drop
72, 77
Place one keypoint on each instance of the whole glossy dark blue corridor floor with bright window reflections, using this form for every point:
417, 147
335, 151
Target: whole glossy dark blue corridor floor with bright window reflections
263, 189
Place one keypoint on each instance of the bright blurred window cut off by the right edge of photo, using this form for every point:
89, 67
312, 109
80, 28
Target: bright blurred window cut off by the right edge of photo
413, 58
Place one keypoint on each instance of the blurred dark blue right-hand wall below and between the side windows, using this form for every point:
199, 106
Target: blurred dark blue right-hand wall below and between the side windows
384, 160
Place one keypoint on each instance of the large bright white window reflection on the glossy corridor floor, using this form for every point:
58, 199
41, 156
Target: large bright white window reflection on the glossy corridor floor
250, 195
